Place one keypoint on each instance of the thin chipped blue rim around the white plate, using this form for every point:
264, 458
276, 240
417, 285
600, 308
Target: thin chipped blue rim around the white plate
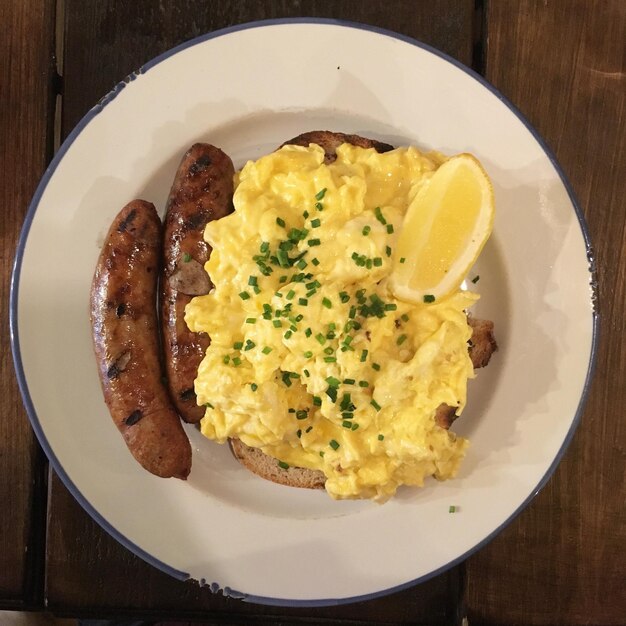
14, 293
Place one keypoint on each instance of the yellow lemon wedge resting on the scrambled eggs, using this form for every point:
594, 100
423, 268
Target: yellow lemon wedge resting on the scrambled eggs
444, 231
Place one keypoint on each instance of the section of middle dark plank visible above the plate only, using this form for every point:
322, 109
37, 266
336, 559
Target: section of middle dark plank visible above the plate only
105, 41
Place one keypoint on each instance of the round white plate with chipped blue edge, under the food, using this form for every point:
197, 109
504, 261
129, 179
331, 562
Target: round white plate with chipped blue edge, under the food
247, 89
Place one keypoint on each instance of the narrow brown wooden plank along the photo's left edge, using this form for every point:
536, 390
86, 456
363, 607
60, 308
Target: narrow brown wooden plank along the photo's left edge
26, 74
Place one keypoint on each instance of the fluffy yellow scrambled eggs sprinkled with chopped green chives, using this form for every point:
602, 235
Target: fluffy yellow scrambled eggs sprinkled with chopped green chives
312, 359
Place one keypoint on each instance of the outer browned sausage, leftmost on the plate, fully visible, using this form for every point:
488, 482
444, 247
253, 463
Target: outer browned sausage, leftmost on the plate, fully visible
126, 342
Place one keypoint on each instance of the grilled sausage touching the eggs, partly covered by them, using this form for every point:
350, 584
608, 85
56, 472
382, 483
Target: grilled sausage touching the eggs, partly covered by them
202, 191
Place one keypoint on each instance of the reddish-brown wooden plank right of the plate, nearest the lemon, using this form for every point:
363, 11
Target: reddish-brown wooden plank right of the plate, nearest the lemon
562, 560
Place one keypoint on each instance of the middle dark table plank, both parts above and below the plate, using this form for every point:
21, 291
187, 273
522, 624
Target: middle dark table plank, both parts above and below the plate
87, 571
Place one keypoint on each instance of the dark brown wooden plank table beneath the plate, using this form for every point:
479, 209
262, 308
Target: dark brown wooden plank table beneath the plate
562, 561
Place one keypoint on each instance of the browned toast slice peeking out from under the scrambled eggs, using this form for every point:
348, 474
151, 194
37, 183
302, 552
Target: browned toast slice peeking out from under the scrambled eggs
481, 346
